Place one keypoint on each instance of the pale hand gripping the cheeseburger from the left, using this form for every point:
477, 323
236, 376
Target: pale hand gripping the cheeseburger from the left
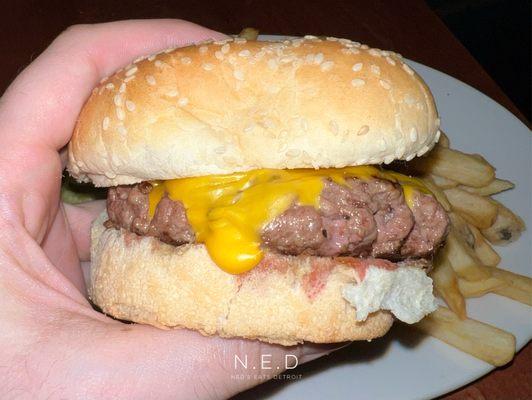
52, 343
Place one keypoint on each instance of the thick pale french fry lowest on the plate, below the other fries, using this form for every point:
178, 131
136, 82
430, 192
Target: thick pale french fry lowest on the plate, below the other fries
483, 341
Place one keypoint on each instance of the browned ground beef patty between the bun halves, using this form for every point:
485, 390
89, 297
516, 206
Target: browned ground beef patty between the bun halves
361, 218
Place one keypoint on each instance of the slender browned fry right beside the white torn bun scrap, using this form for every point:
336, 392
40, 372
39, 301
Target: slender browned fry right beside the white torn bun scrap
446, 285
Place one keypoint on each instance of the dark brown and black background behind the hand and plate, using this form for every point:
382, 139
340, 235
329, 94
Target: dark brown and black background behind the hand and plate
496, 32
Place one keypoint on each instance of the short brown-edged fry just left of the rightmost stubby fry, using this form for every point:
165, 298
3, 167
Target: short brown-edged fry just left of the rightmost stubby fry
477, 210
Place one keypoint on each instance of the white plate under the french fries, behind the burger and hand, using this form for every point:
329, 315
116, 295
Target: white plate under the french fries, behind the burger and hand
403, 365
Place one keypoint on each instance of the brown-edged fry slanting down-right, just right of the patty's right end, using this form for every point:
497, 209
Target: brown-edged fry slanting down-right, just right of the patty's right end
463, 259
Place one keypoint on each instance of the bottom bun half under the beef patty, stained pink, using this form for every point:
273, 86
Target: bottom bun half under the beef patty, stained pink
285, 299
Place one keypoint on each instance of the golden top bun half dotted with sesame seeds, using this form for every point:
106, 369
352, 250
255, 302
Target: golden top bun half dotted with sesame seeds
235, 105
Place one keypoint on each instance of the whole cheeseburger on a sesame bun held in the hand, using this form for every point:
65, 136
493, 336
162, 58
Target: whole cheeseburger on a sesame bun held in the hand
247, 192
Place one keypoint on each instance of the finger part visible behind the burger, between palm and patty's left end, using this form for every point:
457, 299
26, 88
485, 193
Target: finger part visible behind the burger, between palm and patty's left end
80, 217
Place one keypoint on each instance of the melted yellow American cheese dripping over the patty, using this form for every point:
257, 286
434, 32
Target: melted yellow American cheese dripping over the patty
227, 212
